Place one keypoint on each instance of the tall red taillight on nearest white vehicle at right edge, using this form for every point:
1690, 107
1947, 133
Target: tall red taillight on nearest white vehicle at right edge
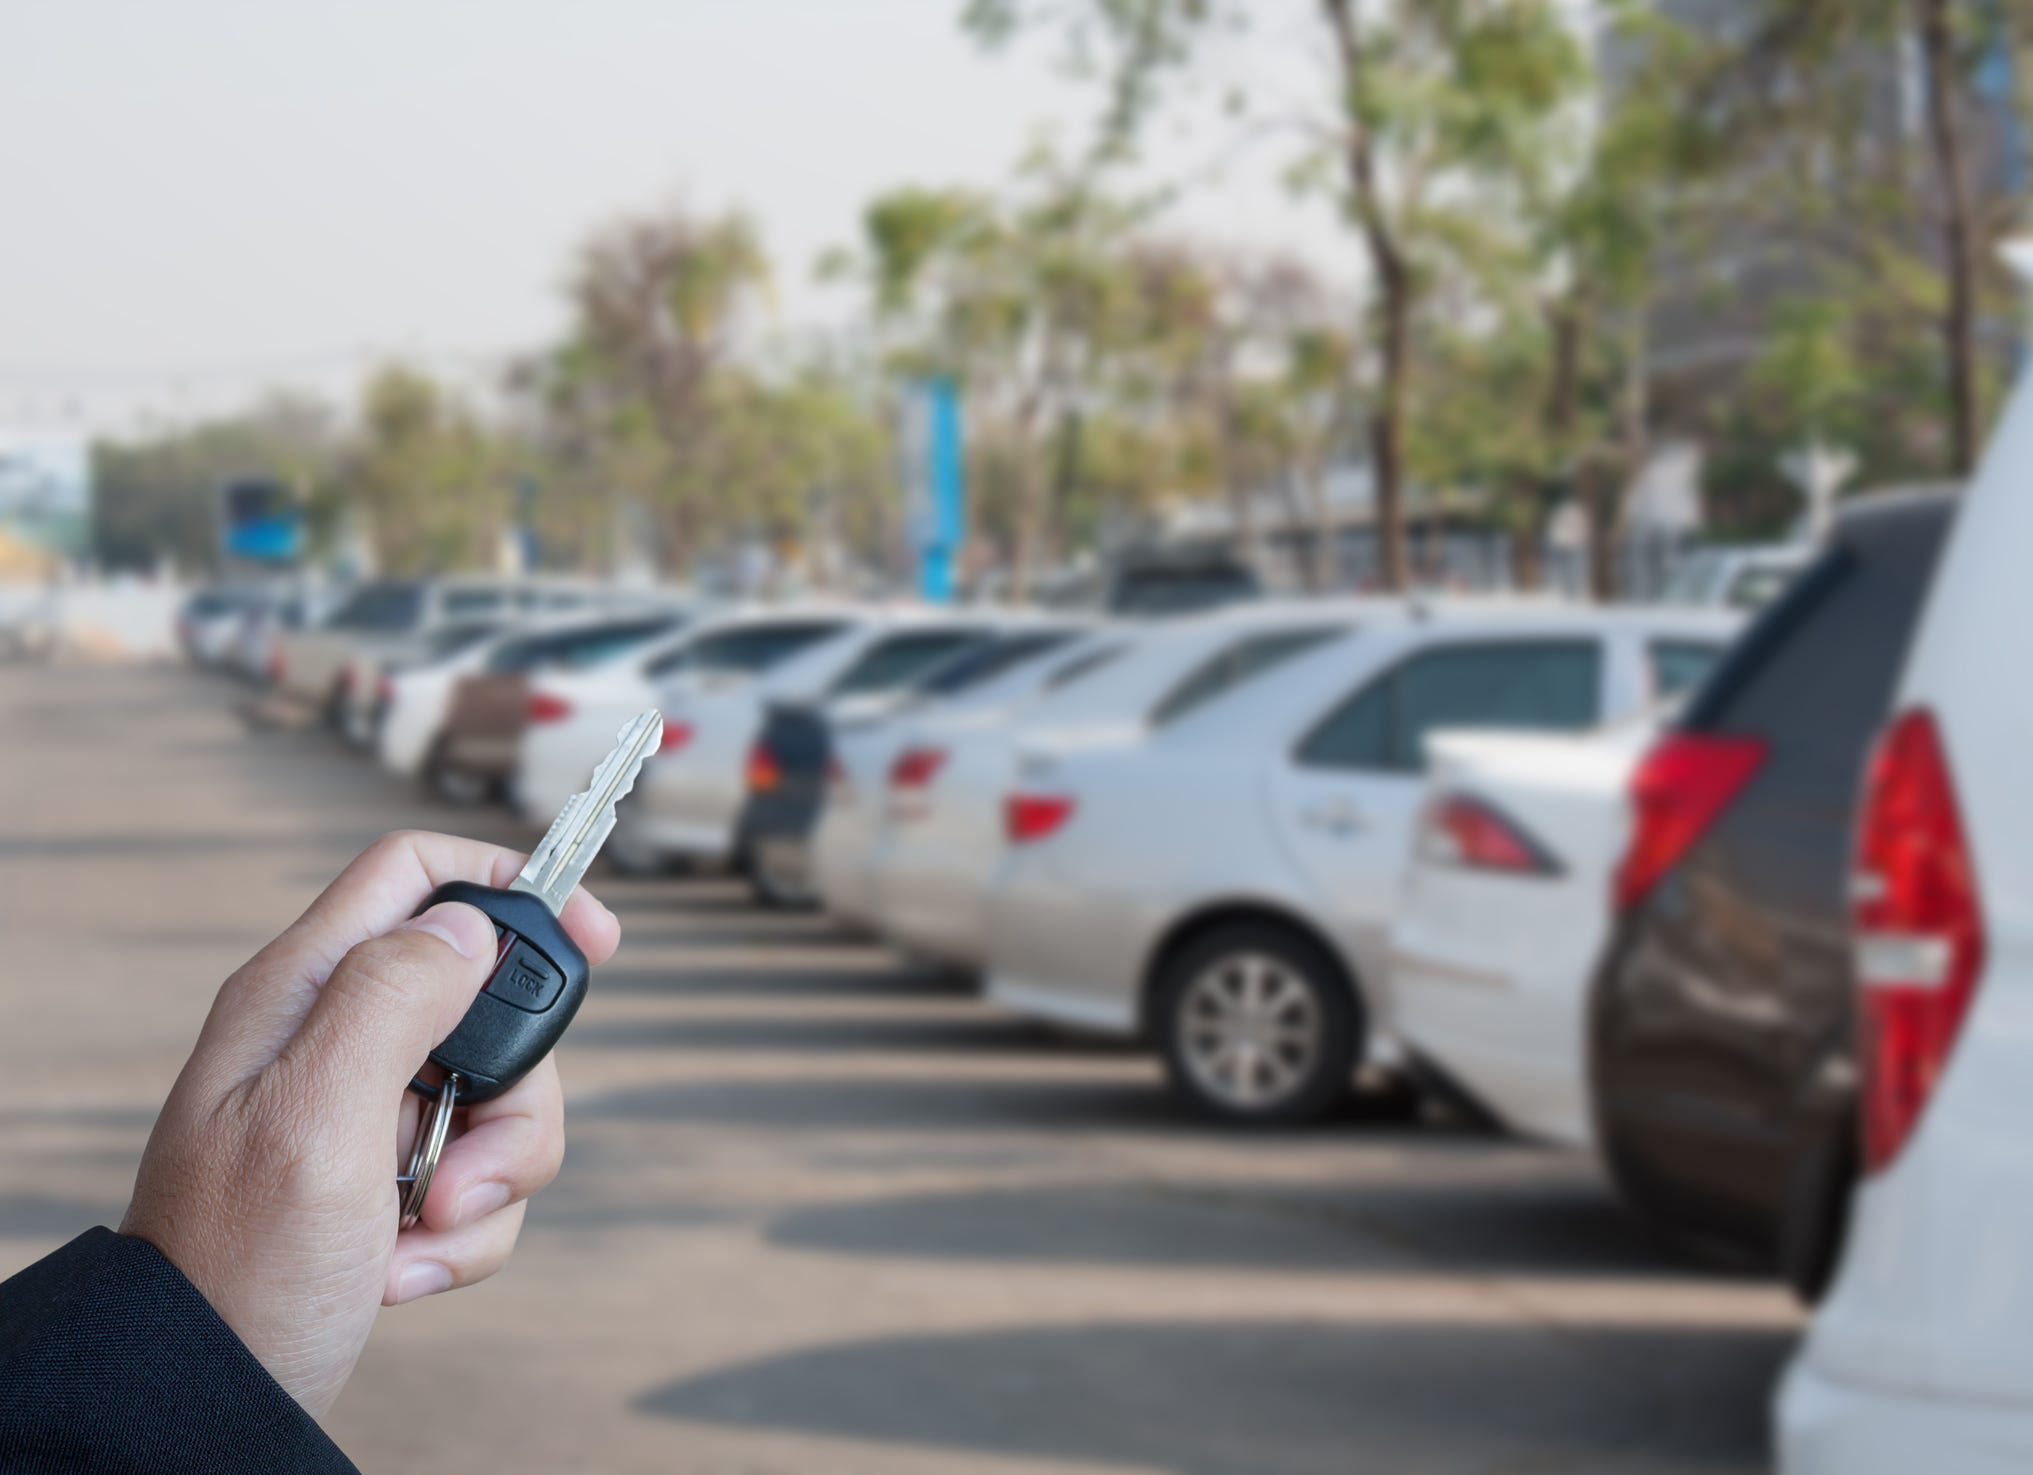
1920, 932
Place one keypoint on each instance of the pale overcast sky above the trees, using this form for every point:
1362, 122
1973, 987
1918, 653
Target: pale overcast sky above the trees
204, 196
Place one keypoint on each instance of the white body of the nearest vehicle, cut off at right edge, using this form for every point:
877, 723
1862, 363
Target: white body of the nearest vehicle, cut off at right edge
1922, 1354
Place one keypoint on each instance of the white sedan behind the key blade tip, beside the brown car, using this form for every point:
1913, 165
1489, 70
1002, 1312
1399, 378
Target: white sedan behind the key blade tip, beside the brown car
574, 714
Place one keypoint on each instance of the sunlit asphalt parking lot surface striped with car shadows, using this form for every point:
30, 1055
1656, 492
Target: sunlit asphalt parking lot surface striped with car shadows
824, 1212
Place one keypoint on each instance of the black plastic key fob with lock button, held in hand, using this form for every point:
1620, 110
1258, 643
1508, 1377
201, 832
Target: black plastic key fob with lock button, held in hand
538, 984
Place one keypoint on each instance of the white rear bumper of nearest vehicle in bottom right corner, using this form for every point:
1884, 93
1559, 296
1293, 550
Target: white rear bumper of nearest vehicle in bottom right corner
1839, 1429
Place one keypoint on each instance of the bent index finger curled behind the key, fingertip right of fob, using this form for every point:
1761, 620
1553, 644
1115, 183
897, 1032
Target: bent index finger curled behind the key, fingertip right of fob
381, 889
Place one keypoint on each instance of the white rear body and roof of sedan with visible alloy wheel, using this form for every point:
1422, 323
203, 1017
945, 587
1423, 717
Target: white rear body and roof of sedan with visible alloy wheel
1079, 921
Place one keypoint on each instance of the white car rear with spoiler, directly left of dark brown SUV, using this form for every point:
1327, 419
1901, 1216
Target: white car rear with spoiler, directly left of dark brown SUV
1507, 905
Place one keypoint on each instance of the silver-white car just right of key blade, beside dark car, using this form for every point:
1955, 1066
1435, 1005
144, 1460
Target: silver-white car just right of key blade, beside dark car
692, 793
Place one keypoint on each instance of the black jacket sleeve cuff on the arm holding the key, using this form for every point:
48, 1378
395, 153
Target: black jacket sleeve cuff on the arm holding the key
113, 1362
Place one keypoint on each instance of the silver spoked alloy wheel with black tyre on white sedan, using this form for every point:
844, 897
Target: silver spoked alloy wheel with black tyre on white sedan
1257, 1025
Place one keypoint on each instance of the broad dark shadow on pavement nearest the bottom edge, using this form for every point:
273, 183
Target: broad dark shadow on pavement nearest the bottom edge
1278, 1399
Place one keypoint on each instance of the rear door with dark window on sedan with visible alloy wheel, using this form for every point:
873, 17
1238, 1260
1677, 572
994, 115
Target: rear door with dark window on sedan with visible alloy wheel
1347, 795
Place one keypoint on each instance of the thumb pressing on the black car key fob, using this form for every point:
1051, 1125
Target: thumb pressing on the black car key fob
395, 997
